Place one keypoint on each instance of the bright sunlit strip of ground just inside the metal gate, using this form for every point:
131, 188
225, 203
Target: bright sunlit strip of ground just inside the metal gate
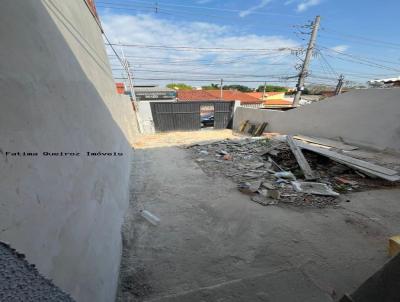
170, 139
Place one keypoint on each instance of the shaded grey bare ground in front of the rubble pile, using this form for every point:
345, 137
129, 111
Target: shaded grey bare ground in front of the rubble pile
214, 244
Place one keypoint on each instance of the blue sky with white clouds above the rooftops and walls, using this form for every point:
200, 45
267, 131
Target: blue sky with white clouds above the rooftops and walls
357, 38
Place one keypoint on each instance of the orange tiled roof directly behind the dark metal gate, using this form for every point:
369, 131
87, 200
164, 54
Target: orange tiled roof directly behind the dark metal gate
214, 95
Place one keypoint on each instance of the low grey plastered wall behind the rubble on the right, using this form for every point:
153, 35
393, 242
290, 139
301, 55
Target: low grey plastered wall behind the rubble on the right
369, 118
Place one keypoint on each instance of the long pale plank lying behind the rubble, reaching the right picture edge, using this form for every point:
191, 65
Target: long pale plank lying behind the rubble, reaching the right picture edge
353, 162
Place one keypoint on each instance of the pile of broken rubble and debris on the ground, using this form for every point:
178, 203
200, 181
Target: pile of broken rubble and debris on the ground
269, 173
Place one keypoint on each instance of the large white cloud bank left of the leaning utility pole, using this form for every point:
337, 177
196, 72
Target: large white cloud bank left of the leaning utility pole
150, 30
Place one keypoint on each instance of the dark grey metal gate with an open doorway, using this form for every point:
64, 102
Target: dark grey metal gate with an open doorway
168, 116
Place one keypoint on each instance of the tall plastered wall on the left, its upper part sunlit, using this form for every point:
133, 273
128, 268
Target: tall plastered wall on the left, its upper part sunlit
57, 95
